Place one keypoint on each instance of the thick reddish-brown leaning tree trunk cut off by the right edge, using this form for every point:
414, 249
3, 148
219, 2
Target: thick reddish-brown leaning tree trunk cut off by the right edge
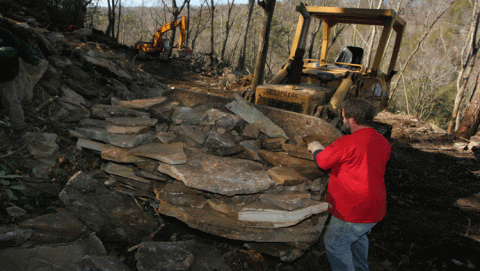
469, 125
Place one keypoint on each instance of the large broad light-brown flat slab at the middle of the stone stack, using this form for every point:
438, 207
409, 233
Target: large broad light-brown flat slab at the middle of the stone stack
221, 175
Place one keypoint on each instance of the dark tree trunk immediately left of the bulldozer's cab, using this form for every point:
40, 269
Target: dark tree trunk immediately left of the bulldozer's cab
268, 7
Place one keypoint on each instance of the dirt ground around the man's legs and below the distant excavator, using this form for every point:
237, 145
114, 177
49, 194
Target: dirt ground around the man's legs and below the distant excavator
433, 217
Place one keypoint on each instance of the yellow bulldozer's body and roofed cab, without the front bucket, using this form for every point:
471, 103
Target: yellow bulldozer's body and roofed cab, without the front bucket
319, 86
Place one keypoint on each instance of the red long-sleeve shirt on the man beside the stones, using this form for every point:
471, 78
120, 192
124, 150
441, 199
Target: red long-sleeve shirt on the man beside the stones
356, 189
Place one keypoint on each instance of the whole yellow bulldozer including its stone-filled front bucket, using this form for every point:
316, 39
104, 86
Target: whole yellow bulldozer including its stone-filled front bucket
310, 92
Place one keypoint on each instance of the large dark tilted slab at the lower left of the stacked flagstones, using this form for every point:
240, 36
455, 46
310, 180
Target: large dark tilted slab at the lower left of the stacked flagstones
113, 216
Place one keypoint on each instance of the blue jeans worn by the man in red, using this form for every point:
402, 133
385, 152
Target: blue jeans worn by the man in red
346, 244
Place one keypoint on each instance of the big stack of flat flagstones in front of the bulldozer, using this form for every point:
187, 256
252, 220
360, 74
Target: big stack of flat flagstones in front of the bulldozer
231, 173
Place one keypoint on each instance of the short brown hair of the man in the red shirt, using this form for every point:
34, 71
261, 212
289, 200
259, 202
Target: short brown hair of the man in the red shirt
360, 110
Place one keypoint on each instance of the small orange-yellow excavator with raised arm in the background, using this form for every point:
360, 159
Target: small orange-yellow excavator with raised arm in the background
160, 47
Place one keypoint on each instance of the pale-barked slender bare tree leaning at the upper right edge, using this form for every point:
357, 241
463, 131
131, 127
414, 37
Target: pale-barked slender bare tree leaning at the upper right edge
468, 59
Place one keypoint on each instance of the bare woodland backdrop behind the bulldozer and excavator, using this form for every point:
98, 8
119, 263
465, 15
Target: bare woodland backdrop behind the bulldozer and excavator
437, 76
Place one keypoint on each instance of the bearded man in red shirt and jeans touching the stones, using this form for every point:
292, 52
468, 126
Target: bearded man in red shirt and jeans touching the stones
356, 189
